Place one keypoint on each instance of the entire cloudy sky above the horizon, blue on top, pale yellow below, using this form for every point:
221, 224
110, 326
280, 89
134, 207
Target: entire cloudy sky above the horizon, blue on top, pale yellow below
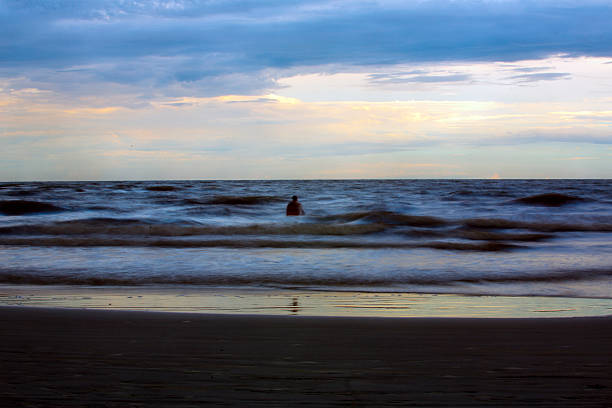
288, 89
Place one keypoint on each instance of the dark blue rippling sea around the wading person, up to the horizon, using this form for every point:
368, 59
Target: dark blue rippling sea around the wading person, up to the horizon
507, 237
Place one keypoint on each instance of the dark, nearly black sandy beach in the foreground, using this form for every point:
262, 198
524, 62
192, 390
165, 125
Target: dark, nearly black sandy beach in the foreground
76, 358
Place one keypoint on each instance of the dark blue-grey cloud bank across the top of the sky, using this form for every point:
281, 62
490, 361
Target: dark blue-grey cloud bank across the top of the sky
190, 43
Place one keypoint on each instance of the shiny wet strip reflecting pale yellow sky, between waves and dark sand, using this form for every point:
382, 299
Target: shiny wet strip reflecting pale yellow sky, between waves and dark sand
296, 302
